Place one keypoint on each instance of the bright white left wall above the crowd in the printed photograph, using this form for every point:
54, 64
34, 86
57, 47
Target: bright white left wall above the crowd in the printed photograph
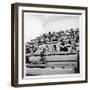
32, 23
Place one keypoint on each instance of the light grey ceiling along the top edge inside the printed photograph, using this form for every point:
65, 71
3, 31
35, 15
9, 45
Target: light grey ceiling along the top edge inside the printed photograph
50, 17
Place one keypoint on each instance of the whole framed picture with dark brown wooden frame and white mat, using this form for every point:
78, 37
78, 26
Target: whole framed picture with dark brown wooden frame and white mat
49, 44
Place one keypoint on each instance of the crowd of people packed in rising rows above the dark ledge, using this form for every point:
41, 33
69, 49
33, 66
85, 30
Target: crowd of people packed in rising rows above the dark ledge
55, 42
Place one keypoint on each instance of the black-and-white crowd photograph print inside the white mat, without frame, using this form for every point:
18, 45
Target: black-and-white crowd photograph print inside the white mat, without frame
52, 45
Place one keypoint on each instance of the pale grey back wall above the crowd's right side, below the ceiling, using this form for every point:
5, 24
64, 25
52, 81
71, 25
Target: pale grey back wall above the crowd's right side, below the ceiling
63, 24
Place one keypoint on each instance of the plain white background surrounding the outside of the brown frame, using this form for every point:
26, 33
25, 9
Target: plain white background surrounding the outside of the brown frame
5, 45
